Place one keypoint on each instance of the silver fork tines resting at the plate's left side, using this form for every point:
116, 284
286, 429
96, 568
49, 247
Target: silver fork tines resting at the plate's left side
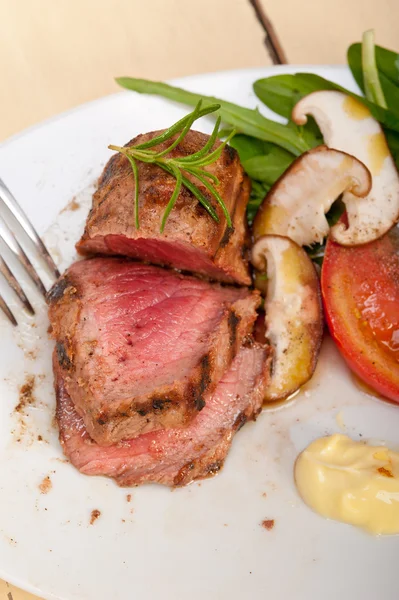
15, 231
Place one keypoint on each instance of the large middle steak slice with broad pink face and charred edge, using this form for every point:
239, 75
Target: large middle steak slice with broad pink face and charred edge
139, 346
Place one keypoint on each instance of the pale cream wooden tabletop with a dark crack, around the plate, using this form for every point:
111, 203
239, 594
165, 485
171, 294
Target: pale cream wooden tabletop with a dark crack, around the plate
56, 54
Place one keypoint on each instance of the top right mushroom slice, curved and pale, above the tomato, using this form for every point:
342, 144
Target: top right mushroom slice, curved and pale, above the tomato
347, 125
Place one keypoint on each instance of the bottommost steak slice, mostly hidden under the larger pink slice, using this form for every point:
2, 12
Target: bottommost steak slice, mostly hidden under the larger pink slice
172, 457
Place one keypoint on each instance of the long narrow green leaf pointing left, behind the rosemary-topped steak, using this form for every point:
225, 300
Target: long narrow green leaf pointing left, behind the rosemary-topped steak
246, 120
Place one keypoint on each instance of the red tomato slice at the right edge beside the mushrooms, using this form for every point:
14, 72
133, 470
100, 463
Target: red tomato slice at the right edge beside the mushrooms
360, 288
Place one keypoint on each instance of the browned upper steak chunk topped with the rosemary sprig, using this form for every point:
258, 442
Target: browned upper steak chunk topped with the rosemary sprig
192, 240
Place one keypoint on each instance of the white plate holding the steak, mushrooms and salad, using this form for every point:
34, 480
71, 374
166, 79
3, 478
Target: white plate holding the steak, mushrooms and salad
204, 541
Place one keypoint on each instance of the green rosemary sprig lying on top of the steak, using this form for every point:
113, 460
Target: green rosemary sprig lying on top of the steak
180, 167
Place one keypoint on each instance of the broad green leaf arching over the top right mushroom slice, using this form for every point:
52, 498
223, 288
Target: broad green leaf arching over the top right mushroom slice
281, 92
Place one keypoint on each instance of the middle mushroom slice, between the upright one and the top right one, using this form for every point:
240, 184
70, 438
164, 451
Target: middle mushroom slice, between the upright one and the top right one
297, 203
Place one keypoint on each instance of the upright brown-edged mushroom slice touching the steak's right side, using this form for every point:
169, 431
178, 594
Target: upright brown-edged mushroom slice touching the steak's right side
293, 313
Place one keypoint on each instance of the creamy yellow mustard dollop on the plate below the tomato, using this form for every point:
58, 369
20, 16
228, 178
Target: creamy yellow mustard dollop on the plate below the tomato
351, 482
